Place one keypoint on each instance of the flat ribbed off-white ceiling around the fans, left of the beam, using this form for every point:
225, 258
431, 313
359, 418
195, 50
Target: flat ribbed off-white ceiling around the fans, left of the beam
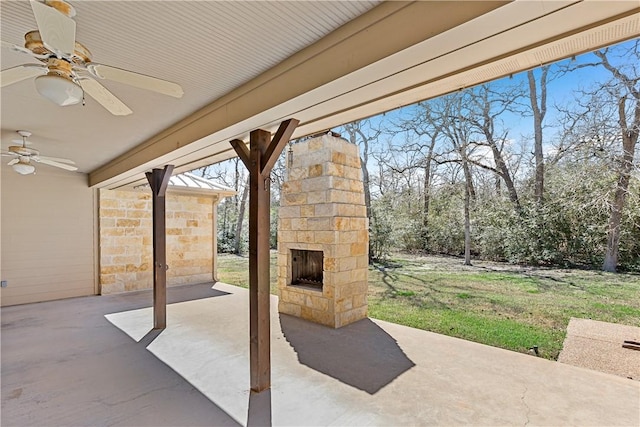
208, 47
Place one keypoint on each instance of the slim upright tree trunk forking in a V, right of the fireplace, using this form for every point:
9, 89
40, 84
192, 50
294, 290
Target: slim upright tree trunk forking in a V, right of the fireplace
539, 112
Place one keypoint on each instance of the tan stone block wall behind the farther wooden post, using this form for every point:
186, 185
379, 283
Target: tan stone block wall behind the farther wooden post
126, 247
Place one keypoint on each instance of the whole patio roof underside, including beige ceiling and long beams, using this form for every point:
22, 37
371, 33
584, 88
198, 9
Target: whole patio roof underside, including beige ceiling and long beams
247, 65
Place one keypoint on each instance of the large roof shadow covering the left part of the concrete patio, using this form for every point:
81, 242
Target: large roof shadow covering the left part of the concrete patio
67, 355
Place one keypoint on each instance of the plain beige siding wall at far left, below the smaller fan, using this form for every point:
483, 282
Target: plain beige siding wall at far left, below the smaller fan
47, 235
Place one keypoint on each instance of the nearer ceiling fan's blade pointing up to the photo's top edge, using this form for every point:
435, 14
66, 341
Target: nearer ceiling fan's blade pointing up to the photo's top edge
58, 31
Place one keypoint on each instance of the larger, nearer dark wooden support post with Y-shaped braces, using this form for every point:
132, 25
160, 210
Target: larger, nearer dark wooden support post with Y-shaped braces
259, 160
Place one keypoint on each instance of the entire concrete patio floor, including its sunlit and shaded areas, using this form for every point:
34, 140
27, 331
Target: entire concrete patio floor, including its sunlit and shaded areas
96, 361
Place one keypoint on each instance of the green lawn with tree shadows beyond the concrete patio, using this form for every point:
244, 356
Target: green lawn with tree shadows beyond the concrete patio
495, 304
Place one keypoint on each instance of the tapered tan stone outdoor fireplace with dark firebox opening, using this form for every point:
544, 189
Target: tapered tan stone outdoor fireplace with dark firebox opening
323, 237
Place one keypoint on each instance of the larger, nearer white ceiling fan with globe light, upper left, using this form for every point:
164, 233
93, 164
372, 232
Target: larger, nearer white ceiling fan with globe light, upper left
67, 72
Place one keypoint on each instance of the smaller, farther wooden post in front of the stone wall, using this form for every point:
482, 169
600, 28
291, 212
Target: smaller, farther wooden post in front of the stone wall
159, 180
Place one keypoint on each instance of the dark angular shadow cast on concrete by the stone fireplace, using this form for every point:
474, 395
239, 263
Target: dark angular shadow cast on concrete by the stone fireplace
361, 354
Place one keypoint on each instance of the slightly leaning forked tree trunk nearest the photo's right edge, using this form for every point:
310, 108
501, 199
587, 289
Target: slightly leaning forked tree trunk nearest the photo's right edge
629, 140
